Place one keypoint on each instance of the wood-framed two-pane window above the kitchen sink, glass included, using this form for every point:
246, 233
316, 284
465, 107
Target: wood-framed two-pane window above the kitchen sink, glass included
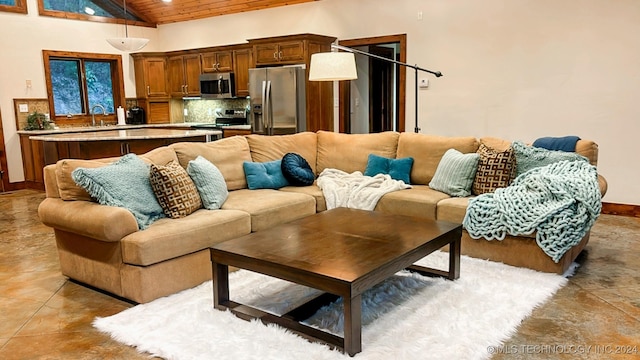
78, 82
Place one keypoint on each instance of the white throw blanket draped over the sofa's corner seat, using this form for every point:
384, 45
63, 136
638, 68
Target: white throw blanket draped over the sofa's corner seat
356, 191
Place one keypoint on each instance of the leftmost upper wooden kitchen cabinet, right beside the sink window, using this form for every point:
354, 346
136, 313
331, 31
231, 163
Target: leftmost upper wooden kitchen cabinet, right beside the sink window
151, 75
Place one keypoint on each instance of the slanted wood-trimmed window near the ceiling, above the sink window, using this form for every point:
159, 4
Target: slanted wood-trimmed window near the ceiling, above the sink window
96, 10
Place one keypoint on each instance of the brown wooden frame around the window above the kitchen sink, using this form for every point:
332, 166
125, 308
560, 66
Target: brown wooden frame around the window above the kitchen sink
117, 80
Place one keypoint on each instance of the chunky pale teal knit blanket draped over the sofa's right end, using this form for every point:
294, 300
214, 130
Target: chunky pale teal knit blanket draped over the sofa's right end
560, 201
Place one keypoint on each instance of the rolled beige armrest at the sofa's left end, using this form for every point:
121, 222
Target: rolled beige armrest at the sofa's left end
101, 222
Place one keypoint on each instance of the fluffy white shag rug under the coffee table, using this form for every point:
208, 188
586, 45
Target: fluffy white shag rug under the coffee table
406, 317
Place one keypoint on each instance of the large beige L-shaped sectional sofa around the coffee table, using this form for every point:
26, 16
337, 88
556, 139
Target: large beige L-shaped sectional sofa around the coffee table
102, 246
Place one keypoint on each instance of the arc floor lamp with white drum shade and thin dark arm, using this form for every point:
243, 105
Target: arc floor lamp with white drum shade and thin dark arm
335, 66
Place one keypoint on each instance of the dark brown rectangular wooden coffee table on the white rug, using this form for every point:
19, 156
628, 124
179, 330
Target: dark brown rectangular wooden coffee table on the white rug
342, 252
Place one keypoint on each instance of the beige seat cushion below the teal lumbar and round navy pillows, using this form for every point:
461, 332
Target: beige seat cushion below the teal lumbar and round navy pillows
269, 207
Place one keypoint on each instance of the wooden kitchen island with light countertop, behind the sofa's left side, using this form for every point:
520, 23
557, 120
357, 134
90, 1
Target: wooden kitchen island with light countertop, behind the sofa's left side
44, 147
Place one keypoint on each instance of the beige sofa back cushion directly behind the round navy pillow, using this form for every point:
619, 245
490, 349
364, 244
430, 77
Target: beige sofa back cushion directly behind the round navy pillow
269, 148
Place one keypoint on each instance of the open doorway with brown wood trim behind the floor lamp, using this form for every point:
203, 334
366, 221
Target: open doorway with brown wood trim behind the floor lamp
375, 102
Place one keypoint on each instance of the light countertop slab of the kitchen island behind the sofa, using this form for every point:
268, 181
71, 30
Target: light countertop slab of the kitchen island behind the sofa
120, 133
